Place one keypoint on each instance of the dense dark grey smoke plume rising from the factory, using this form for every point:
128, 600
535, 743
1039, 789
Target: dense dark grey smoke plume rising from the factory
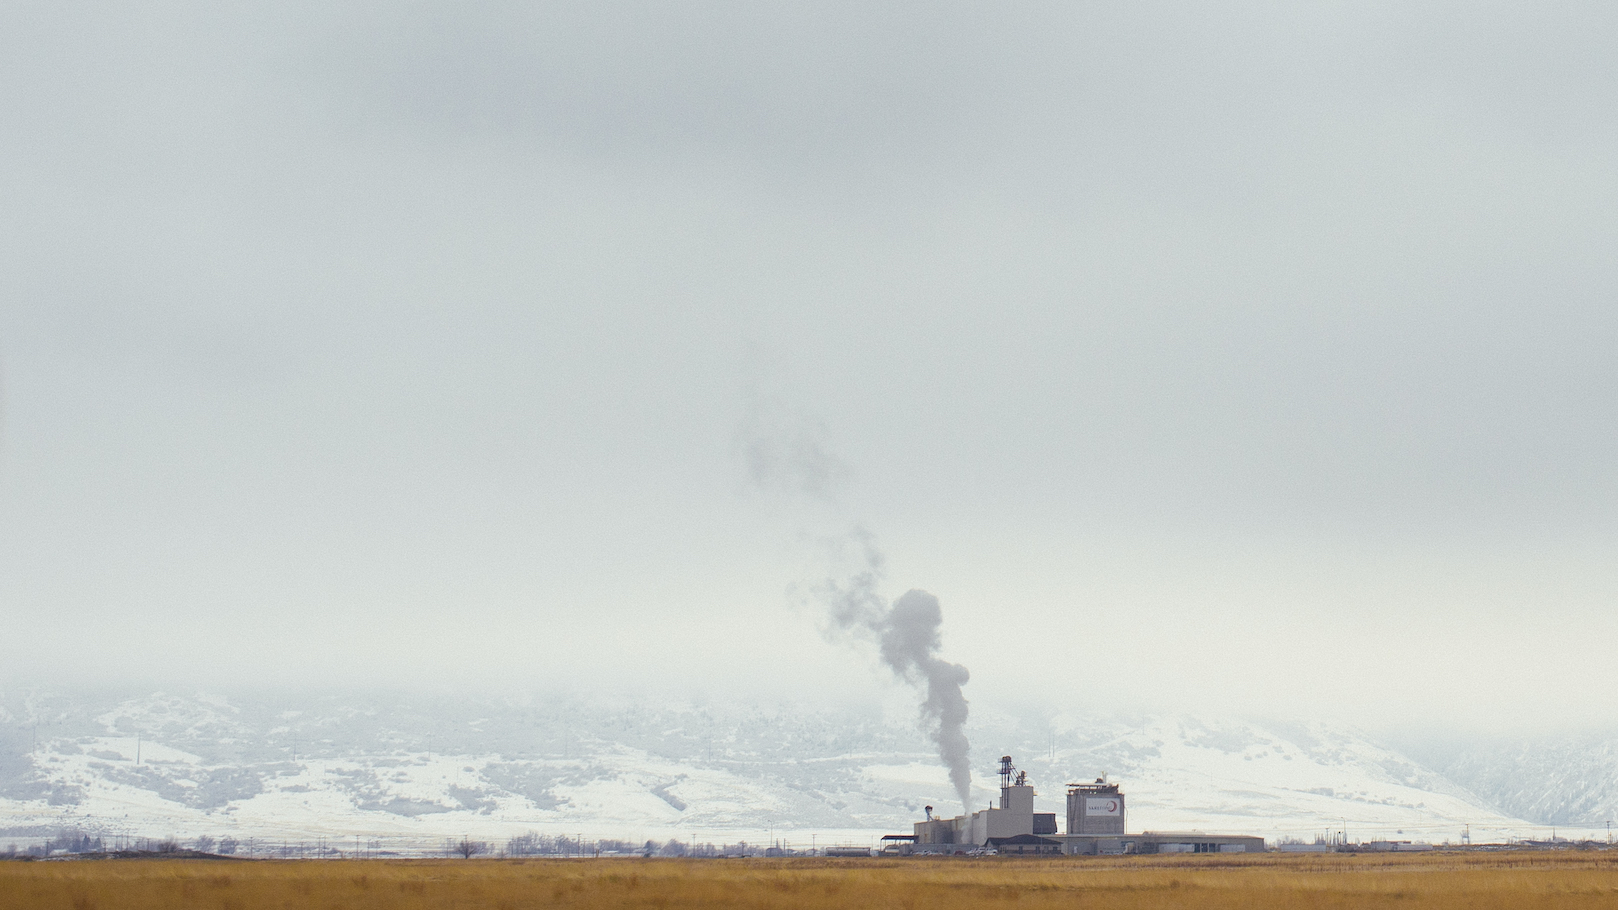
909, 639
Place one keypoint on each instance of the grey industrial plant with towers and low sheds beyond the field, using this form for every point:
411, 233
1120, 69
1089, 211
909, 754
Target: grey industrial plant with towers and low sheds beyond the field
1096, 825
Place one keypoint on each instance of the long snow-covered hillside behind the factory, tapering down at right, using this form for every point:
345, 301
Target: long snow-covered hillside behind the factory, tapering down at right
421, 768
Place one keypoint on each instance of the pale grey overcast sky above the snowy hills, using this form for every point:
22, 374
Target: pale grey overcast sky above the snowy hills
1193, 355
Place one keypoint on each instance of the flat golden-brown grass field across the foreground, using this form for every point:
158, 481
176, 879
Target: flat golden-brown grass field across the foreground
1449, 882
